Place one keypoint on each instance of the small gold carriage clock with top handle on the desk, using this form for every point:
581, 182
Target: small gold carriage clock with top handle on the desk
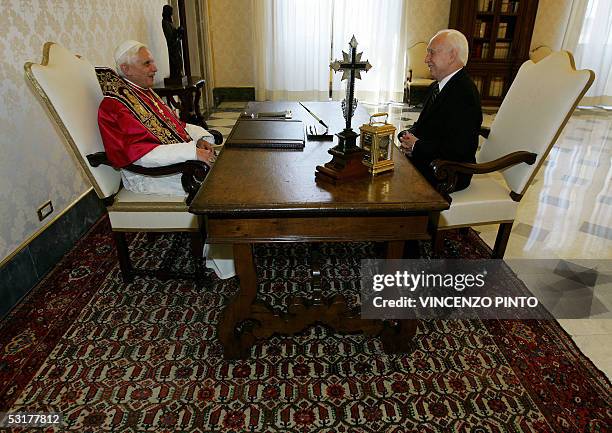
377, 143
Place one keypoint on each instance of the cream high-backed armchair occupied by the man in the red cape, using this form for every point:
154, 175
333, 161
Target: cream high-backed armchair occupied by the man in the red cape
69, 89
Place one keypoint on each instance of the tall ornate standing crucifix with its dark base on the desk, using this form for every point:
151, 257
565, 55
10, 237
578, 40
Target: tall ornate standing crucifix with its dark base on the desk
347, 156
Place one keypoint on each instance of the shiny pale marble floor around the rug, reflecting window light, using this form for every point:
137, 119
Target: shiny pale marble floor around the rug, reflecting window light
564, 223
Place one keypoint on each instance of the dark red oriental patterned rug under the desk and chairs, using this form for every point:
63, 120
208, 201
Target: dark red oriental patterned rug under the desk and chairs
145, 357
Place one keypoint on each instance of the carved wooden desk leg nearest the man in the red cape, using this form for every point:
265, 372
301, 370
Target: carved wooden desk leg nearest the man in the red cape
236, 344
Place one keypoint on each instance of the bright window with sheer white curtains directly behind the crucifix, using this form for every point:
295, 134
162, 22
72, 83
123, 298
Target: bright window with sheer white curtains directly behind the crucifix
297, 39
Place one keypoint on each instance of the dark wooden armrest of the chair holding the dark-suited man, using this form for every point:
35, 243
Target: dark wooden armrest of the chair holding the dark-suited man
446, 171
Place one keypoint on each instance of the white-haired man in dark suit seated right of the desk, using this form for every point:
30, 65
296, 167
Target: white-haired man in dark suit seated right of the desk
448, 126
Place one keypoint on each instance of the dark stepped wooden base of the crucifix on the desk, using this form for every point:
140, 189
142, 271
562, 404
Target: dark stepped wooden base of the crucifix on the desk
346, 163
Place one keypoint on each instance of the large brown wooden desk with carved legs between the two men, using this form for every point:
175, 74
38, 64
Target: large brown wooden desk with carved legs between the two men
265, 195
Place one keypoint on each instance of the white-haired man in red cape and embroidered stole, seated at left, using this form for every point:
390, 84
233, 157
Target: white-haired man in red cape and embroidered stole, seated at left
137, 127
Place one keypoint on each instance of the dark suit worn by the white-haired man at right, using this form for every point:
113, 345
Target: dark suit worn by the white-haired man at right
448, 127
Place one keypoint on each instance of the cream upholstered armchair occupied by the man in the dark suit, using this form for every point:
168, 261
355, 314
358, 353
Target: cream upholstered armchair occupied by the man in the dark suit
531, 117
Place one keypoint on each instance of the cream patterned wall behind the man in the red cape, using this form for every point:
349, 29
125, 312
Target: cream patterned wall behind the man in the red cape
35, 165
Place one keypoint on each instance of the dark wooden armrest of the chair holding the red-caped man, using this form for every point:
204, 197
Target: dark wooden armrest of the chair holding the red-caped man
193, 172
